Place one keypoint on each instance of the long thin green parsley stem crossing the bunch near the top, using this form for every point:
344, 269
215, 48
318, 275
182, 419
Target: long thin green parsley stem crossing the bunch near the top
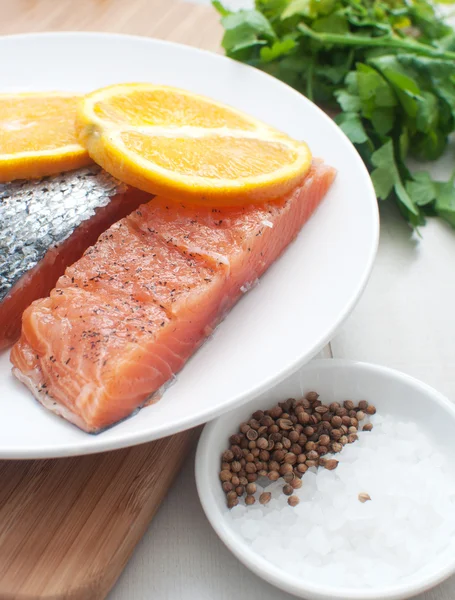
384, 41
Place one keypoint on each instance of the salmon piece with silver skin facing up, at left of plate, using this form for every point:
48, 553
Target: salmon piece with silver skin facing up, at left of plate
46, 226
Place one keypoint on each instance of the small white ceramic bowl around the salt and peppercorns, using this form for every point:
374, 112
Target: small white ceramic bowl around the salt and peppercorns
392, 392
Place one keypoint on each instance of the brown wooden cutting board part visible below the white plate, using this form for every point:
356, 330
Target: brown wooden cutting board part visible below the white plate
68, 526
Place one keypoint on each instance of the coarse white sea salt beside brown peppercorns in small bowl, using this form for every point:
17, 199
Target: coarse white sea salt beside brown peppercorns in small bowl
331, 537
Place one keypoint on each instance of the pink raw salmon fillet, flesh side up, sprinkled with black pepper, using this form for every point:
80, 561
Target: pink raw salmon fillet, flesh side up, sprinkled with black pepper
126, 316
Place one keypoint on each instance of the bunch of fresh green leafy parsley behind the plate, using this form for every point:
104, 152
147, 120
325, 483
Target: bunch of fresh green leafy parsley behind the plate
387, 67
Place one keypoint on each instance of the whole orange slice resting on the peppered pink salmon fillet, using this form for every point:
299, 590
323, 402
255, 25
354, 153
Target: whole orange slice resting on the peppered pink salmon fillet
172, 142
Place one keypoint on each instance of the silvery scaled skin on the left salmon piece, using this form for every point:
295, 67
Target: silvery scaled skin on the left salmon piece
38, 214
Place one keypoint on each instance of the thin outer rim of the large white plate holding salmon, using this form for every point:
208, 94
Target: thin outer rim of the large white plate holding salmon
134, 439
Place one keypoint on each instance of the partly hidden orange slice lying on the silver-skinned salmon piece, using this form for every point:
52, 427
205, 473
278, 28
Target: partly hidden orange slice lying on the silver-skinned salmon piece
37, 135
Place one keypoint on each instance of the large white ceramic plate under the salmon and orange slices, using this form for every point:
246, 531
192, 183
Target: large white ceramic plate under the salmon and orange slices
277, 326
